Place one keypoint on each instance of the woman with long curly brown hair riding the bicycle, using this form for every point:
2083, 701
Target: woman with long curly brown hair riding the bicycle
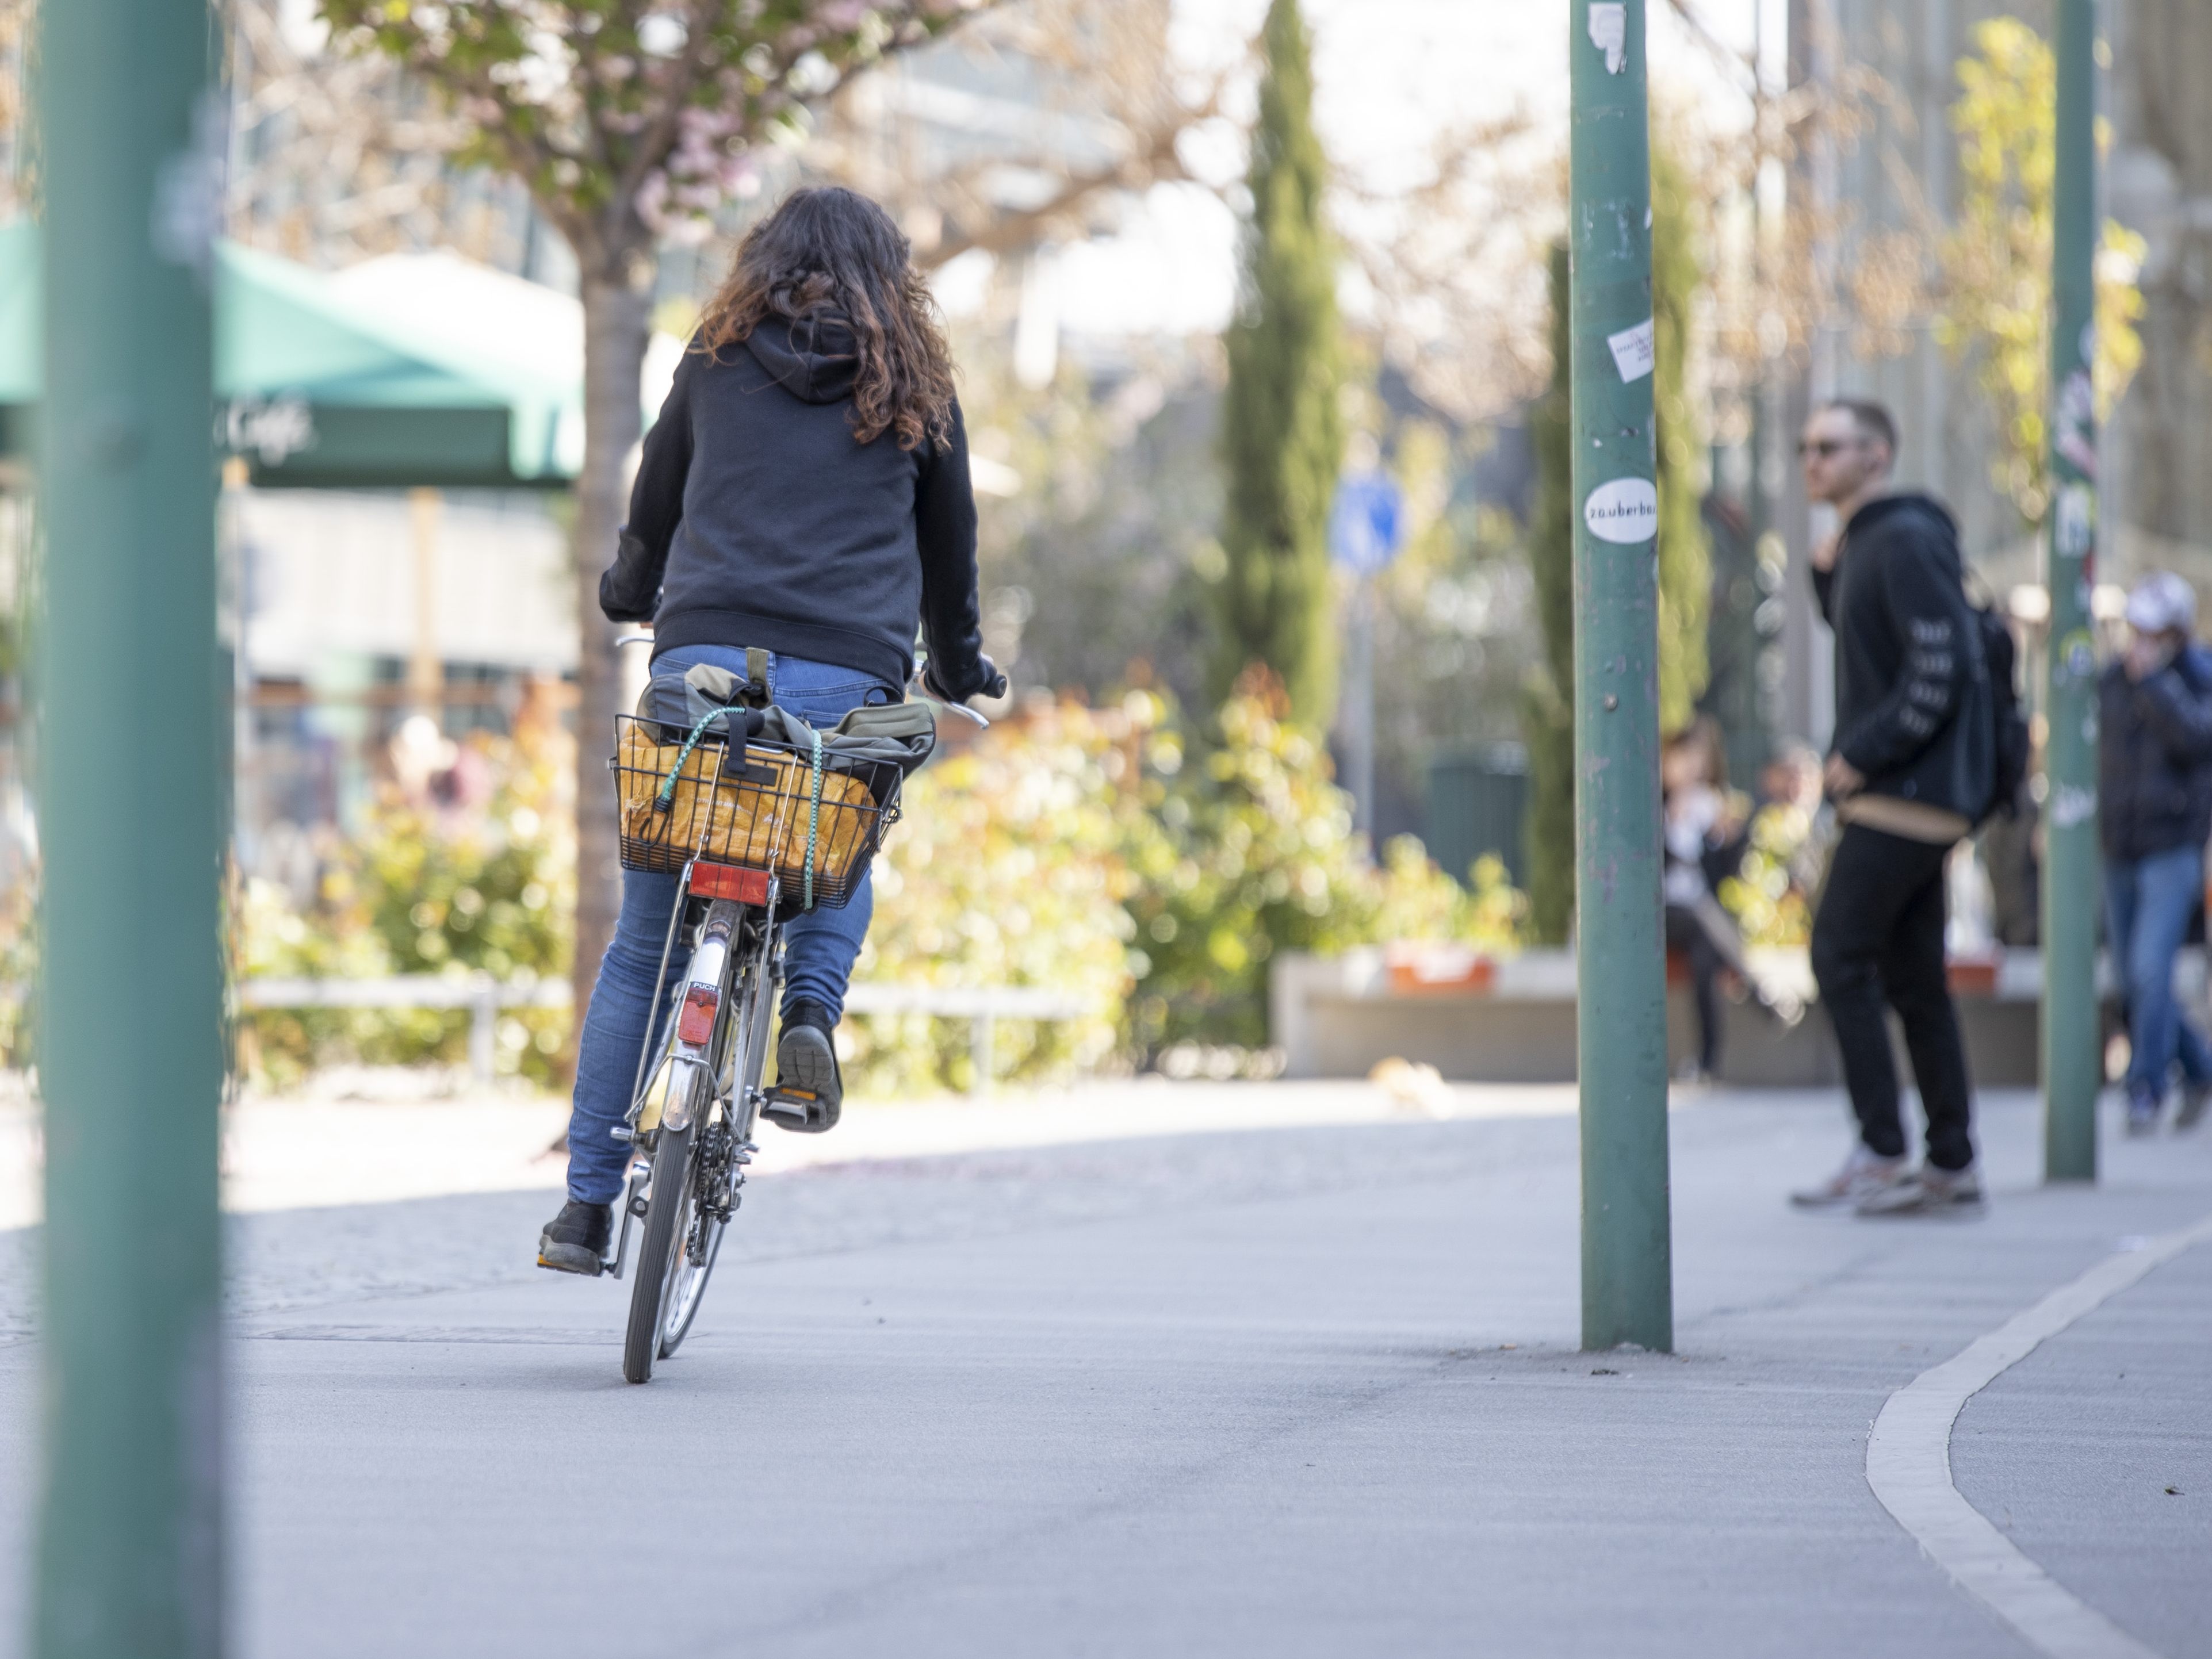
804, 492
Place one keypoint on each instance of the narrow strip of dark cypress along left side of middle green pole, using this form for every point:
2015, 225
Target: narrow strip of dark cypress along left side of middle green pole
1550, 698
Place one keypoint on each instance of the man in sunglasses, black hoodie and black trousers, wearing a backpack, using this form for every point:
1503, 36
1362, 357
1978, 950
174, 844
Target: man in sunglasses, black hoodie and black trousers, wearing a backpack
1910, 771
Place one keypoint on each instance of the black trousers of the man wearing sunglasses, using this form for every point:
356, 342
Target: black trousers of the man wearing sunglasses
1877, 941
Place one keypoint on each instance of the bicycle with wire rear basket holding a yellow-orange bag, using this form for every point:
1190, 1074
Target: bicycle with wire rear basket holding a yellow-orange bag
733, 826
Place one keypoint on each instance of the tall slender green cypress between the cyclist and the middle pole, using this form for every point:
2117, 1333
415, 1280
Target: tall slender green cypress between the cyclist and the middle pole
1282, 428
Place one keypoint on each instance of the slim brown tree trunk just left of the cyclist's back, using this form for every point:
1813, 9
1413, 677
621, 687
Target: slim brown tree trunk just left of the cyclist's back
616, 326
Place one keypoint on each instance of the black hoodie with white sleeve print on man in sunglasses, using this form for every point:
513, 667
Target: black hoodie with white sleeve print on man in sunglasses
1914, 709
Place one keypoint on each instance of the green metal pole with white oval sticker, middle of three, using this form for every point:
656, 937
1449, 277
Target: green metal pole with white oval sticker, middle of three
1627, 1273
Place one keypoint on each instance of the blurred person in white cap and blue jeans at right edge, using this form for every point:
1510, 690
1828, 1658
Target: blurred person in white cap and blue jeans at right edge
2153, 817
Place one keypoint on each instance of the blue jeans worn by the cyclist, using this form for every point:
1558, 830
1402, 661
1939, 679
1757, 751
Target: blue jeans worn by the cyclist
817, 961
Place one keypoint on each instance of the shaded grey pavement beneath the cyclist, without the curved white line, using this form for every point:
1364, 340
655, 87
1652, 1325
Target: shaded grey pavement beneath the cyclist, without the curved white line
1291, 1390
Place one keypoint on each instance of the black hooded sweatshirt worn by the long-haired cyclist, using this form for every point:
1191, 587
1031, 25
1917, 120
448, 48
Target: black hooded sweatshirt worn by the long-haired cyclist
760, 521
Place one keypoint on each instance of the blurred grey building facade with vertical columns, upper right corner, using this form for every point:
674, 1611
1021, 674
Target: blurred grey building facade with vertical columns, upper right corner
1899, 178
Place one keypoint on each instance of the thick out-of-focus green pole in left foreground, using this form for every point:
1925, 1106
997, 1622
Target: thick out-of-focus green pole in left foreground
132, 1061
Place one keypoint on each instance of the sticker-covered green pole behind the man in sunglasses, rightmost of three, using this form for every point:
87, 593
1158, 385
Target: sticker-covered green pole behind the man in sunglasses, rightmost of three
2074, 1065
